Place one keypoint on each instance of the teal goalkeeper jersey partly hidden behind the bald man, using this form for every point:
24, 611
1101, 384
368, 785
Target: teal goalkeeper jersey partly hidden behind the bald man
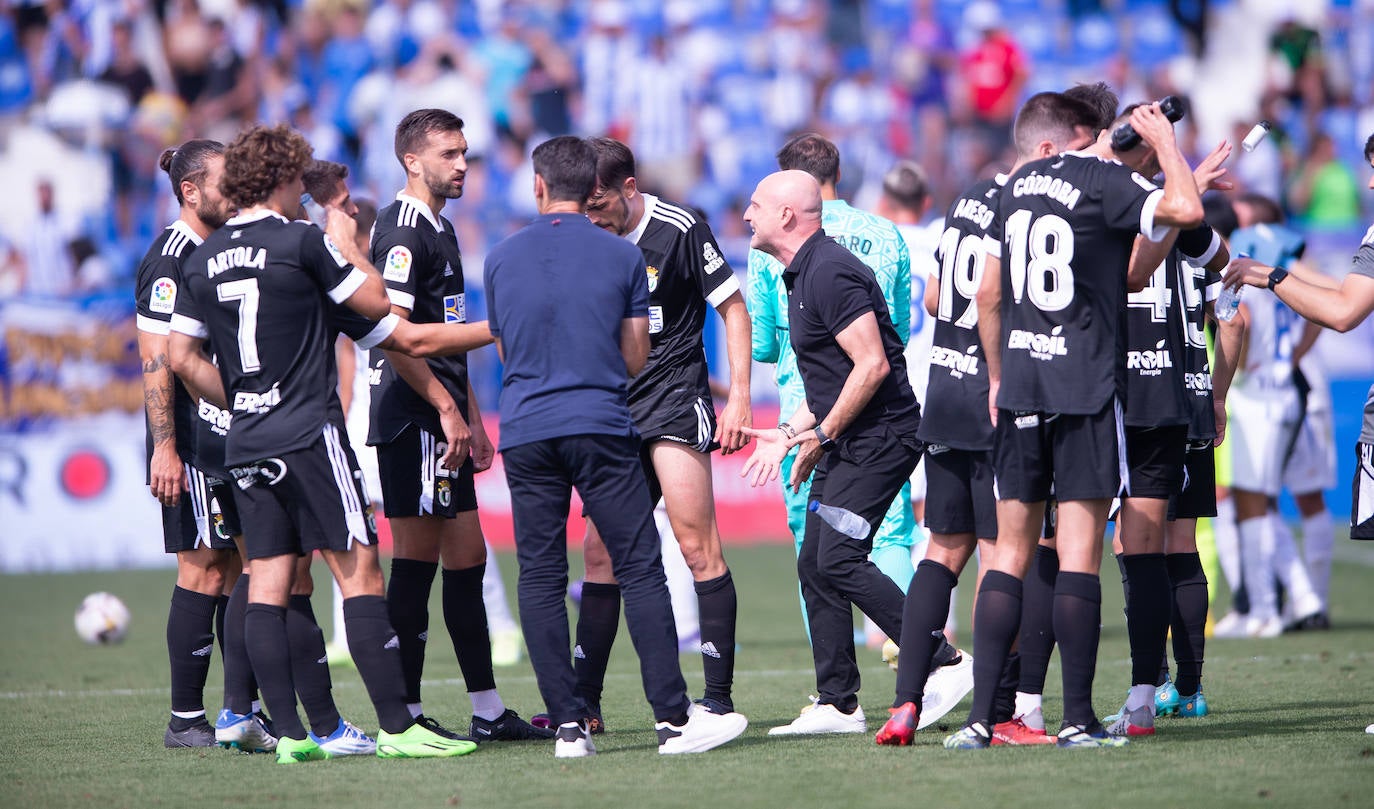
876, 242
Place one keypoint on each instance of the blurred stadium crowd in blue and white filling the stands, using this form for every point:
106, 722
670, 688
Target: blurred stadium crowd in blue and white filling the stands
703, 91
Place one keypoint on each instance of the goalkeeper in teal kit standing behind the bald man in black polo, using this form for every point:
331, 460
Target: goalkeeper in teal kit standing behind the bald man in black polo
880, 245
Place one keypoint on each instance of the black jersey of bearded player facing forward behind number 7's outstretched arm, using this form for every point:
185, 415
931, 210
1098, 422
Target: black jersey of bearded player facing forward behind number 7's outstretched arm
423, 267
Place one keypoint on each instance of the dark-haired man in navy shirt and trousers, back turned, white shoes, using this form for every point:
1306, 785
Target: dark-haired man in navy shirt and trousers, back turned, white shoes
570, 308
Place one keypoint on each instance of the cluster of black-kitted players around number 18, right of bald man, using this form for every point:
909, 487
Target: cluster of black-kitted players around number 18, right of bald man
1072, 303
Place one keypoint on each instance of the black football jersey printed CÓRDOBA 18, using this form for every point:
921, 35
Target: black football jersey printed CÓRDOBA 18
1066, 230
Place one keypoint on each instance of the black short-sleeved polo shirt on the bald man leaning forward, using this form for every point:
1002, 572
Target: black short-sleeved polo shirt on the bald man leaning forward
829, 289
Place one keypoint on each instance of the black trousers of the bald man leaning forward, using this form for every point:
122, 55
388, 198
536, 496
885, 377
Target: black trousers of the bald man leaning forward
864, 476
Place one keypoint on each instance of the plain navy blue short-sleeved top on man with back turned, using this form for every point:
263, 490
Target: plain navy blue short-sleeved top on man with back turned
557, 292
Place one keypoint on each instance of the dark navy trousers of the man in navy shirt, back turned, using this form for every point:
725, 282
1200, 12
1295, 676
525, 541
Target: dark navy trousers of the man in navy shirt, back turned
608, 476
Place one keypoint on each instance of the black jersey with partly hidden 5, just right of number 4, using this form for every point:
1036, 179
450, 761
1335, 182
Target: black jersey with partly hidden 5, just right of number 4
1197, 288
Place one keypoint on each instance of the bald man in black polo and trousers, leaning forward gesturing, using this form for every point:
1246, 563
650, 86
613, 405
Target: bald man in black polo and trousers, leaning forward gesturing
859, 425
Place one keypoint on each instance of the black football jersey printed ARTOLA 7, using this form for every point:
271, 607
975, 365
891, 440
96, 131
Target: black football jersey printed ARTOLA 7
258, 290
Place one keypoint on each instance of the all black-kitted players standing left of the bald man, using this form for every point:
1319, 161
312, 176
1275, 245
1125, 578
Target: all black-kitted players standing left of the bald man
256, 281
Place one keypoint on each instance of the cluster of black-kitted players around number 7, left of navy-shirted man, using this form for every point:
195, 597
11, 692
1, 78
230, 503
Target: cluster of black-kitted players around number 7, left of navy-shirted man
252, 289
